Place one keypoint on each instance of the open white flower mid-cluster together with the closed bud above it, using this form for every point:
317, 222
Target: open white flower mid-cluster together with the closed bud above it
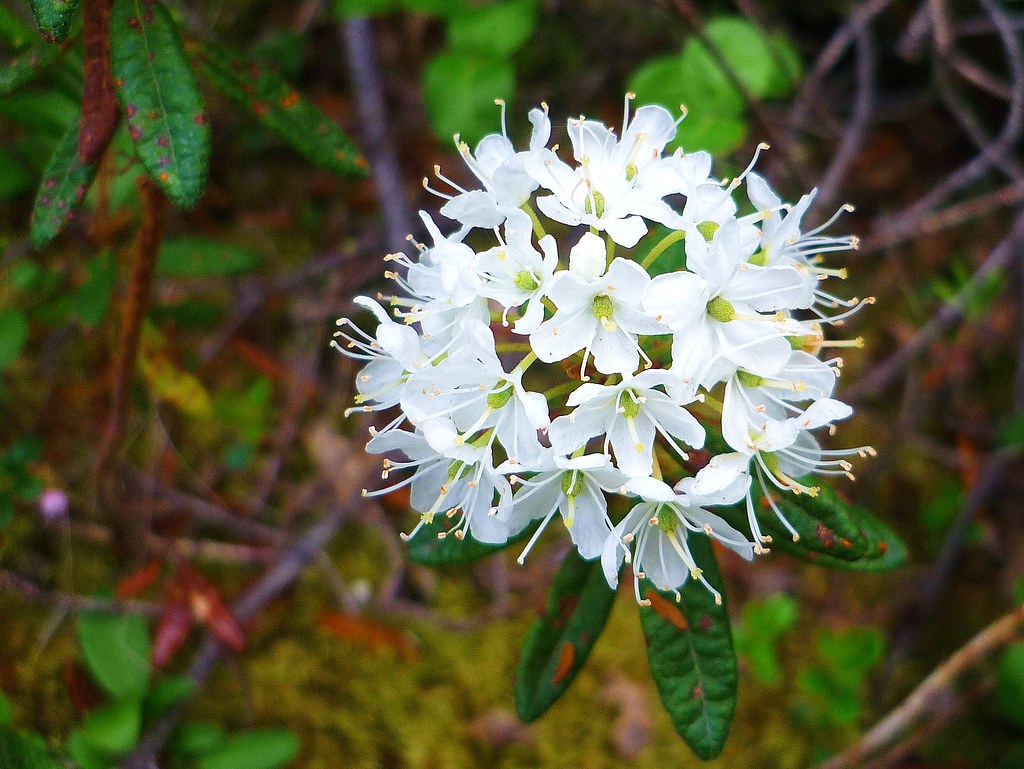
601, 317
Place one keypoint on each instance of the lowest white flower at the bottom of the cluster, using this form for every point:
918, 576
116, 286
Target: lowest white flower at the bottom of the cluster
654, 535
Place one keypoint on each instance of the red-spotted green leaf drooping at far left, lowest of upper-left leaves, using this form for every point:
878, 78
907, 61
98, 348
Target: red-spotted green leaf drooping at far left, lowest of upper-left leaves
65, 183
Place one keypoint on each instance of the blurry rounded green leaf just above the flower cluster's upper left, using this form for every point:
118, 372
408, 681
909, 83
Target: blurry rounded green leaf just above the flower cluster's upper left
460, 91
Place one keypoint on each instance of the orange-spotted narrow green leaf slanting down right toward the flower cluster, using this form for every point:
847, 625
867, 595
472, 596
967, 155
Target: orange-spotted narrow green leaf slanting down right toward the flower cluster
279, 107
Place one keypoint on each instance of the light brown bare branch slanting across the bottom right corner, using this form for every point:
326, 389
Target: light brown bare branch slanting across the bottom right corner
922, 701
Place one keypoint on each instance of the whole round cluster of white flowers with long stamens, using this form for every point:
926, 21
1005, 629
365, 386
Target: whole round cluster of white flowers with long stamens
537, 378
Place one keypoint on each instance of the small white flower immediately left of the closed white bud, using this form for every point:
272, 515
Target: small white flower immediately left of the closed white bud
516, 275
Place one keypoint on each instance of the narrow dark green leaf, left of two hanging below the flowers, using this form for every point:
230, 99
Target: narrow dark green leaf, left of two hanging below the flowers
561, 639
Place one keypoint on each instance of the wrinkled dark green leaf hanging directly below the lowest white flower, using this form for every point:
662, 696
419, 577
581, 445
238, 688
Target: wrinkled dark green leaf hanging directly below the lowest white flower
690, 651
